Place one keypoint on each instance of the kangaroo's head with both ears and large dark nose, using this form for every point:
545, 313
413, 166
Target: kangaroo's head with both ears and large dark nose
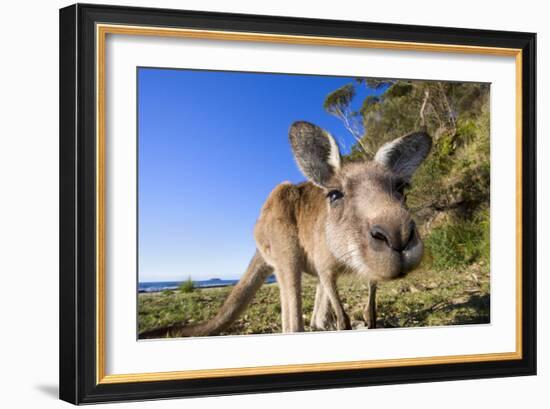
368, 226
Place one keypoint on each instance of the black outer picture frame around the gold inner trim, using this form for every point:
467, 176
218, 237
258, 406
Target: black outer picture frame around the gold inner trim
78, 236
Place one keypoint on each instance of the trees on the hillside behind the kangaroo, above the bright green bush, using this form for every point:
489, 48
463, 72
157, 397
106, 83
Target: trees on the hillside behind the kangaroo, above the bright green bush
455, 178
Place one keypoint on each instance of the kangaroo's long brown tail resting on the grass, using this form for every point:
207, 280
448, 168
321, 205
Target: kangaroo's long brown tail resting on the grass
237, 301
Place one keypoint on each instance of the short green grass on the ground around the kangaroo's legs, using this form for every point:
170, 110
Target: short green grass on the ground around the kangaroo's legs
427, 297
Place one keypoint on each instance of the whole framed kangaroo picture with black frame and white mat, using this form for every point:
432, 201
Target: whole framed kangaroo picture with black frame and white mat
257, 203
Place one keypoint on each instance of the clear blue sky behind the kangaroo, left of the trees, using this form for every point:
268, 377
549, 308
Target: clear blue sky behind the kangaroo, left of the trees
212, 145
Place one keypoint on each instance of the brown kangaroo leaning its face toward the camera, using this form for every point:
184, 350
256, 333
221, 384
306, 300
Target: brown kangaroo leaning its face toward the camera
348, 217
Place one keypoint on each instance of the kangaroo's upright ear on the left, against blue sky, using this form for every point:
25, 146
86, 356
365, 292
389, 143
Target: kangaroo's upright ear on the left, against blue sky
315, 151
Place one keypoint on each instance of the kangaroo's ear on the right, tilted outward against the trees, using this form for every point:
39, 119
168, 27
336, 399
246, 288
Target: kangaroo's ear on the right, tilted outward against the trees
404, 155
